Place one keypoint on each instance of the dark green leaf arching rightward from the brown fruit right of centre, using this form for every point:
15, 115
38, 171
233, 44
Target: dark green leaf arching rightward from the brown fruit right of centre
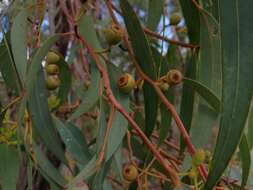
204, 91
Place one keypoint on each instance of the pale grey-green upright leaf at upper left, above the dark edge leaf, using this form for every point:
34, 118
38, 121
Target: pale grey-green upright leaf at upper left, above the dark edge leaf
18, 43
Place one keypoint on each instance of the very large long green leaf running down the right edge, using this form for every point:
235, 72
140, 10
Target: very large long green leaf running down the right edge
237, 46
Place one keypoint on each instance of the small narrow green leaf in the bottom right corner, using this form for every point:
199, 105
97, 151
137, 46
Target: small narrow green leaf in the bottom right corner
245, 159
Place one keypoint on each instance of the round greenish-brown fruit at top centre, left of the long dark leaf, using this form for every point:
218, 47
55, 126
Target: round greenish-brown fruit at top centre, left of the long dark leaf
113, 34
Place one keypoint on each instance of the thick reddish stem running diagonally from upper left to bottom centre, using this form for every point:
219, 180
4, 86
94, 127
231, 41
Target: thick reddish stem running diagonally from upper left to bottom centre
112, 99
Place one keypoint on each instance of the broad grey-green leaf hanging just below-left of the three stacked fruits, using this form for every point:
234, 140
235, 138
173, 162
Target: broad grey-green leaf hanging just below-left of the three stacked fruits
41, 118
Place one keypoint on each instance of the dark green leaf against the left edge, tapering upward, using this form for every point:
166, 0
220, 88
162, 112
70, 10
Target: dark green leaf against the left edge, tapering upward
7, 66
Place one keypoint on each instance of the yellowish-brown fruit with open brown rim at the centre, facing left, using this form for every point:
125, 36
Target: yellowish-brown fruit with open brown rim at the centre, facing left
126, 83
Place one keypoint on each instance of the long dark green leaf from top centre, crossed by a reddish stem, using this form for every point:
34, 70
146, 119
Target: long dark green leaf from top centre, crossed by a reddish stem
144, 58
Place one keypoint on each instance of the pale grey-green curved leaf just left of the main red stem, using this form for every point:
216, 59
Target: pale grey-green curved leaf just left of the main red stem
90, 97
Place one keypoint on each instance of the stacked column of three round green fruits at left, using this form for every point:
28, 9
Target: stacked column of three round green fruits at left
52, 70
